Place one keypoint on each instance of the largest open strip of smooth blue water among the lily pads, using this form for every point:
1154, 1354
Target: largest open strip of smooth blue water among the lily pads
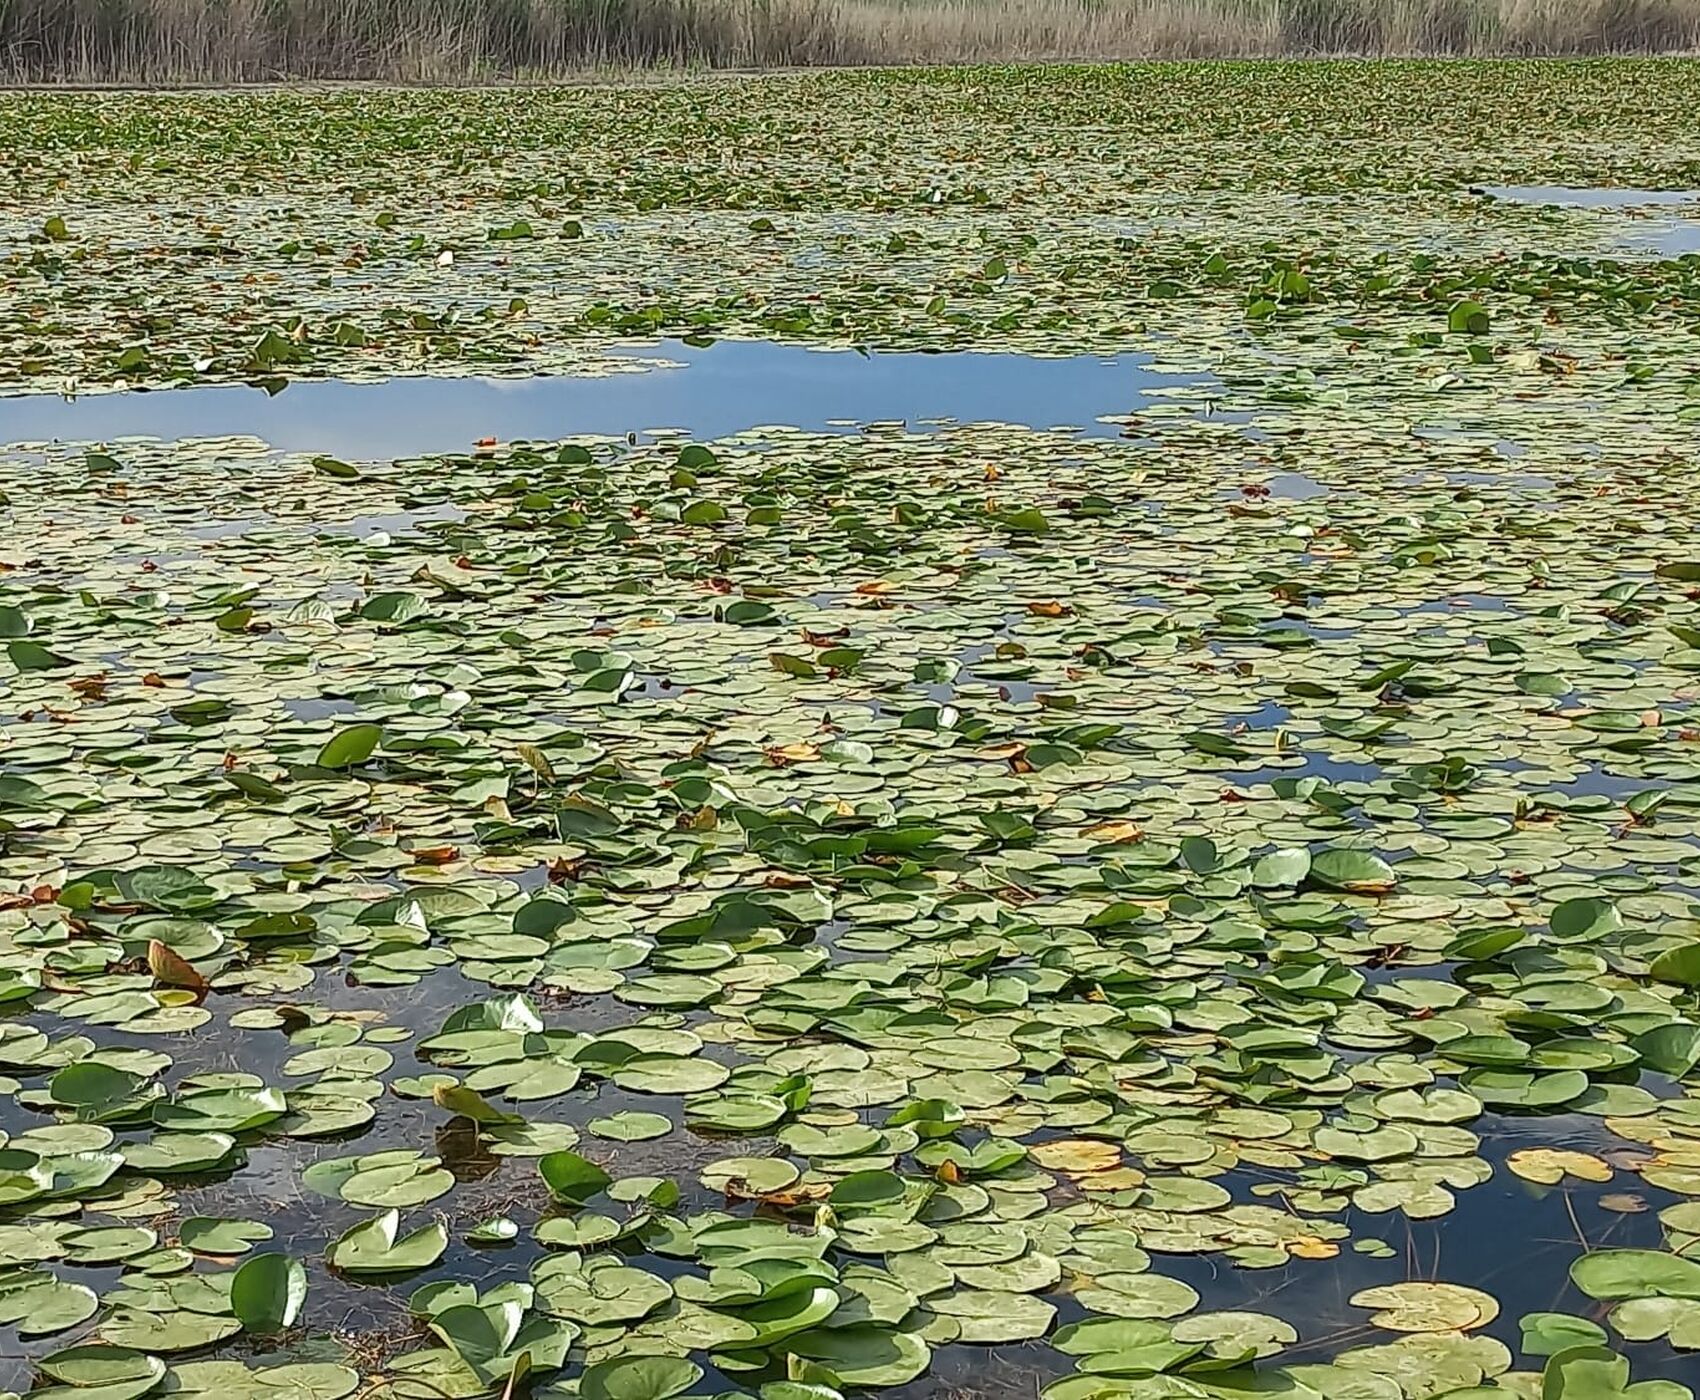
715, 392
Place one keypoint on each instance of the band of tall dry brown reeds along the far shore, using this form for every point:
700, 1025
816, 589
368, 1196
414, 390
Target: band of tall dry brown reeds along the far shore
227, 42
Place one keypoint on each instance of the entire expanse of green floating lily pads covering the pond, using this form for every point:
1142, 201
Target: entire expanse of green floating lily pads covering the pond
819, 913
